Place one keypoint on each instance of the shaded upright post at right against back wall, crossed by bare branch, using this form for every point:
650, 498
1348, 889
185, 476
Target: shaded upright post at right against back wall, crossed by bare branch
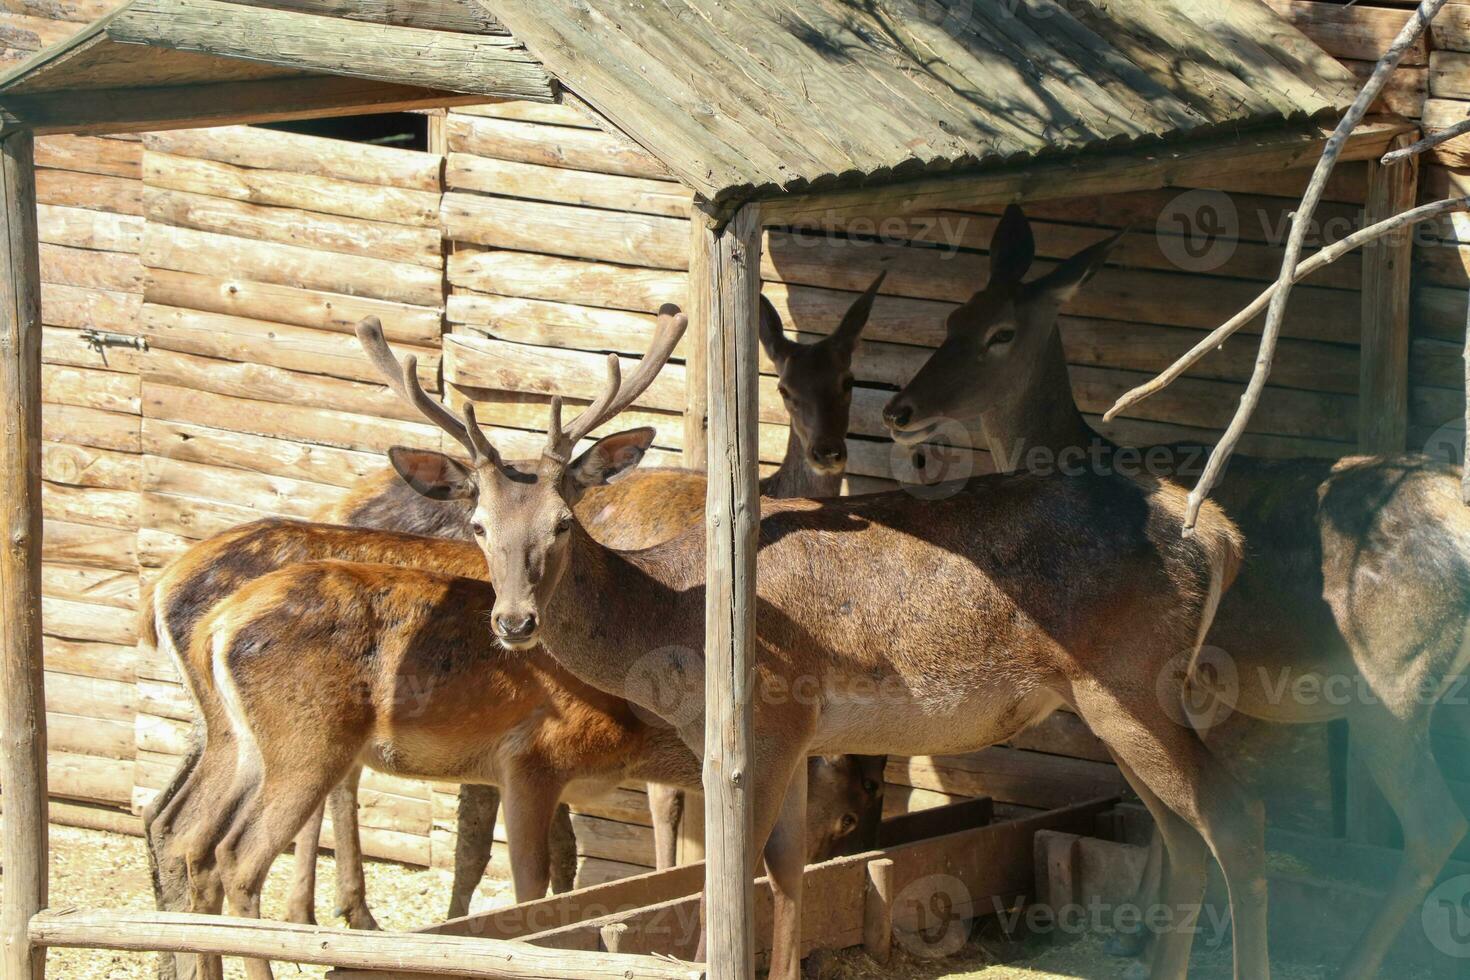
1387, 302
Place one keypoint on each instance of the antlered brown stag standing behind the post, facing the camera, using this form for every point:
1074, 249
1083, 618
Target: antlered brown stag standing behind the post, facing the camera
911, 627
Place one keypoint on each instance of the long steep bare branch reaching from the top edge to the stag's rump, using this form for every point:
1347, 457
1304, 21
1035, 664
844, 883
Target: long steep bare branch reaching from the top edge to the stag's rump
1277, 314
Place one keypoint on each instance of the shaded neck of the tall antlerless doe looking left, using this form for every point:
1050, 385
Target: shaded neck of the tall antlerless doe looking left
1041, 419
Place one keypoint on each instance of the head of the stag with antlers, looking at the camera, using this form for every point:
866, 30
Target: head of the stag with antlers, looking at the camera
523, 516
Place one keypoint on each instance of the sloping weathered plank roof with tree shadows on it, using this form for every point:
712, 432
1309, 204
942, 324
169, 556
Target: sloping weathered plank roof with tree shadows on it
745, 98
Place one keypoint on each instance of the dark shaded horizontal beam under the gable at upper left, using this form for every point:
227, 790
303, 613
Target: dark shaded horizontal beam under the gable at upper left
111, 111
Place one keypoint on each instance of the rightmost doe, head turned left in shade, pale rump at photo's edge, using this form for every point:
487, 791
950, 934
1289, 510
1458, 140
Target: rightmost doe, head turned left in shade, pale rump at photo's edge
1359, 569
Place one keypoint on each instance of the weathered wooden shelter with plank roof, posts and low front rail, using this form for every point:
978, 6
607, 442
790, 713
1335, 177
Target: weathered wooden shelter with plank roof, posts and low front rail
803, 115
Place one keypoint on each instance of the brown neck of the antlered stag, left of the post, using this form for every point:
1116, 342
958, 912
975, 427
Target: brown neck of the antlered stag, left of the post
615, 610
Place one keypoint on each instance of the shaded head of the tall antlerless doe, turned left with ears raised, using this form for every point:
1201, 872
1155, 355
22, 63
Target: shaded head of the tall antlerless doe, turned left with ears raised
994, 342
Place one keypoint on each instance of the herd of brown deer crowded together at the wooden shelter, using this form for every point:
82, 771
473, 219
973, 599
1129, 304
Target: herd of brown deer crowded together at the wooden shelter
490, 622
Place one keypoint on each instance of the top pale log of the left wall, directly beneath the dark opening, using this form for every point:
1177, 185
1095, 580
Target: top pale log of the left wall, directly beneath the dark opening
298, 154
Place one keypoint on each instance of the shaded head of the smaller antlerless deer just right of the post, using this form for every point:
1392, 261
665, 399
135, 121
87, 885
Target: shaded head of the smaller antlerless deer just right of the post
817, 381
